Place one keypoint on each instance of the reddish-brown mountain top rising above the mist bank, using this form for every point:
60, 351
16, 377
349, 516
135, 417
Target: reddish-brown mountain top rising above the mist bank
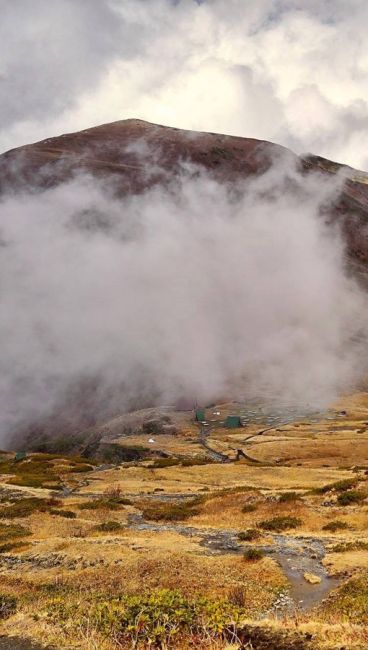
134, 155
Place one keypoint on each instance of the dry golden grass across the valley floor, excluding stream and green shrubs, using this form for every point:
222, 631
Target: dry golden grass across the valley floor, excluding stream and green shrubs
129, 560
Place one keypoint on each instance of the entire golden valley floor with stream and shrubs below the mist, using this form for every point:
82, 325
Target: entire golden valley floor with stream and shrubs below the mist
189, 547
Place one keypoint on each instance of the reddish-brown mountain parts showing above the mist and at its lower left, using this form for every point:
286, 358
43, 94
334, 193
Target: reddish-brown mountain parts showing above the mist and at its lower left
131, 156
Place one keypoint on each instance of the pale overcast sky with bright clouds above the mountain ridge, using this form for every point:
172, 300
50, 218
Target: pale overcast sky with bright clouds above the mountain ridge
291, 71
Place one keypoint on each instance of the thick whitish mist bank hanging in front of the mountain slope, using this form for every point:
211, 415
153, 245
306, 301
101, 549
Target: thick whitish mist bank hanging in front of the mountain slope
196, 289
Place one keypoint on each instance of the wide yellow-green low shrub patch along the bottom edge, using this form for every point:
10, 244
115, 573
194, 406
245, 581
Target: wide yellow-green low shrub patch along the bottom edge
161, 619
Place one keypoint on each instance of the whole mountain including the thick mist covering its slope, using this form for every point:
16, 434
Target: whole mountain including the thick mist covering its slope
141, 264
